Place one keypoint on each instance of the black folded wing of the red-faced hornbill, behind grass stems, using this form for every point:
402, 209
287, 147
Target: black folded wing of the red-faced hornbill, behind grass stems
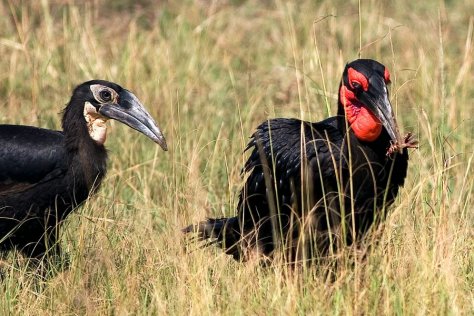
279, 149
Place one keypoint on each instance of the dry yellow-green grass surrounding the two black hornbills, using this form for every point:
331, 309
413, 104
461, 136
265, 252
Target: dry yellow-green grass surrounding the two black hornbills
209, 72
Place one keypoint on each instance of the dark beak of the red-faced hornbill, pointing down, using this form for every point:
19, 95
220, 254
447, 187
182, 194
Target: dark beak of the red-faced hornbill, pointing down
376, 99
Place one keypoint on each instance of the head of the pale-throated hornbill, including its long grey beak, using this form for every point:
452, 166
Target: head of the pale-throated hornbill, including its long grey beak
103, 100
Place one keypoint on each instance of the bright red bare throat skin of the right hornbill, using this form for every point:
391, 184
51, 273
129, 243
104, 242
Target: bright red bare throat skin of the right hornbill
365, 125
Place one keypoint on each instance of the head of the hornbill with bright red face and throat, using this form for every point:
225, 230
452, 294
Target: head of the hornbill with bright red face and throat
363, 96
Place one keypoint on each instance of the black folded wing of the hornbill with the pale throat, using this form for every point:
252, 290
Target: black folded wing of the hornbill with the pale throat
29, 155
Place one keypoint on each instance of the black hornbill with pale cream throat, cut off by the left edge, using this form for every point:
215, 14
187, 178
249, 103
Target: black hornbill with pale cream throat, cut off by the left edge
45, 174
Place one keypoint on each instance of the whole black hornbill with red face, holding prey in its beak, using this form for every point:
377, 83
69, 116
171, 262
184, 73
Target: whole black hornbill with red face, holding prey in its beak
312, 187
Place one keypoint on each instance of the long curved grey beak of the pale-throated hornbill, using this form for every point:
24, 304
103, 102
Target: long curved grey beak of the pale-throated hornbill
131, 112
